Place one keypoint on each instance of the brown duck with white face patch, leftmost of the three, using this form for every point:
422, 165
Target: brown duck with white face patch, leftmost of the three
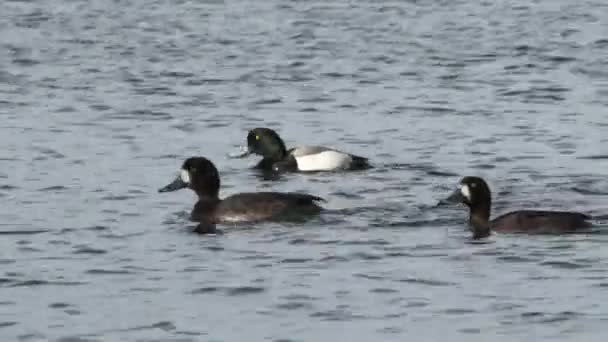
201, 176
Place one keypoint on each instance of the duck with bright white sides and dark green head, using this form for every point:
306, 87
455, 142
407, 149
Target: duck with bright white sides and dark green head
277, 158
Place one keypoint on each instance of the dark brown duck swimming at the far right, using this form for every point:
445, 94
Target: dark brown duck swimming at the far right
475, 193
